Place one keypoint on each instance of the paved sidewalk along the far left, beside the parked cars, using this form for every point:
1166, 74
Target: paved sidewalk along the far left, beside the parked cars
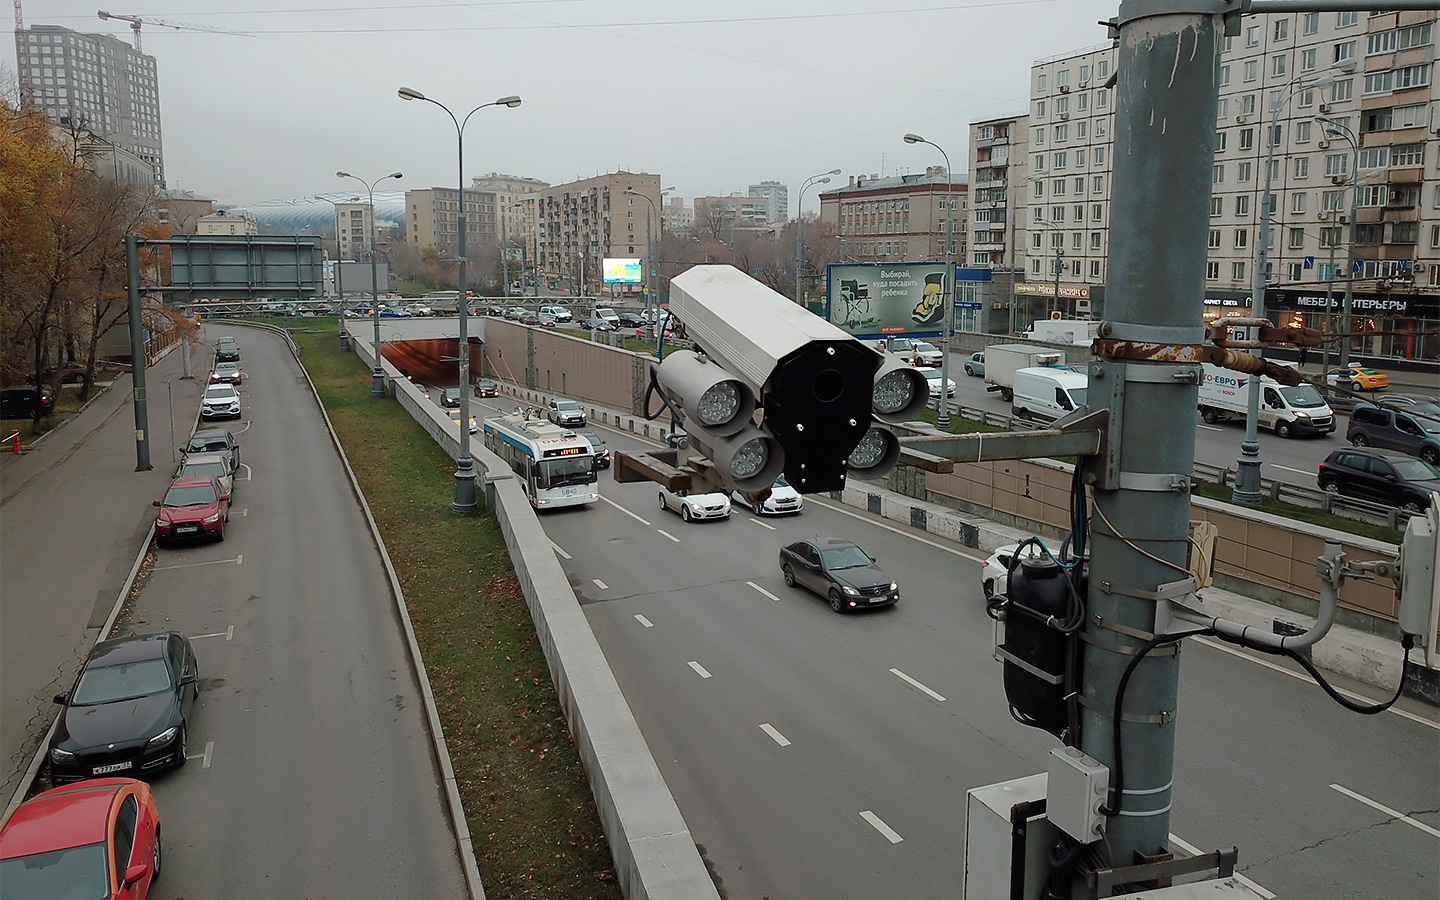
74, 515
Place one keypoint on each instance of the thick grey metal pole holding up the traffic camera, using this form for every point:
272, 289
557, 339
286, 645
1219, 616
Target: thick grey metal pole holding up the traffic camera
1166, 123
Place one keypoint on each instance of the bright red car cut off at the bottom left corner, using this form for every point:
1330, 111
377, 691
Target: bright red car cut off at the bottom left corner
99, 839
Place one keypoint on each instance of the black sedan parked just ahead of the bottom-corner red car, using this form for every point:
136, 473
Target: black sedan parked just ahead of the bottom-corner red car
127, 712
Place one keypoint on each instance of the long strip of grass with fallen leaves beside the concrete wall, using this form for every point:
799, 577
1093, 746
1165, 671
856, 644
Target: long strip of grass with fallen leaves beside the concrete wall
528, 803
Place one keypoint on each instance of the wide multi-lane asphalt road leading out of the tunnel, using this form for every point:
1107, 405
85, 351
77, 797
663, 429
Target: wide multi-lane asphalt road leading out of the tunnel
824, 755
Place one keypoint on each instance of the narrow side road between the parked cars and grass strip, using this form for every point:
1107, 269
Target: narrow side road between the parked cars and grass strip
318, 744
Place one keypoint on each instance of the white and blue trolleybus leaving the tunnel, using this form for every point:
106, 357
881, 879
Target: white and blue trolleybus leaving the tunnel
555, 466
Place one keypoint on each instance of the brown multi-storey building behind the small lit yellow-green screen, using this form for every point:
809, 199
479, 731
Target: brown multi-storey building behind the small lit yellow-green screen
580, 224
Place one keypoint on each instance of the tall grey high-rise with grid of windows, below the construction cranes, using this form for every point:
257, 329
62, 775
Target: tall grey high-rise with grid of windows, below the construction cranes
99, 84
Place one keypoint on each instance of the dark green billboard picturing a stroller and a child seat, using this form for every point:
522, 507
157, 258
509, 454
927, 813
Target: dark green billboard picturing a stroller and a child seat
872, 300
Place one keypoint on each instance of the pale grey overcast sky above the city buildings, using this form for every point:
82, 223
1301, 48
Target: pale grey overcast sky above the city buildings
714, 97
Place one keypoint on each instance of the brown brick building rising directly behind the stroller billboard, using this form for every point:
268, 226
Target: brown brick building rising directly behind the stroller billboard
899, 218
